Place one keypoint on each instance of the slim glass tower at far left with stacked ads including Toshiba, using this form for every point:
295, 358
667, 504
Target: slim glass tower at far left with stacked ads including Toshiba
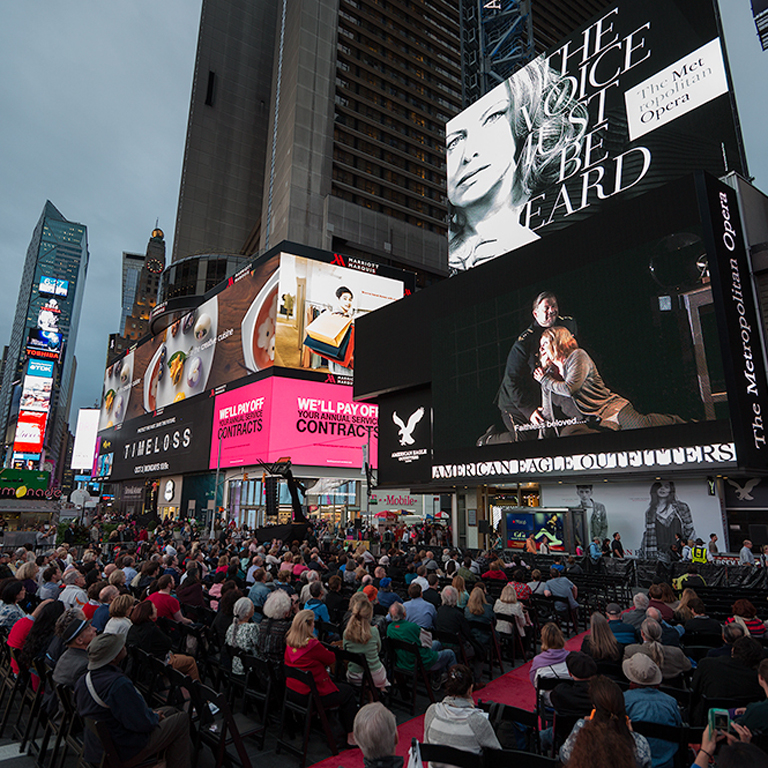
33, 413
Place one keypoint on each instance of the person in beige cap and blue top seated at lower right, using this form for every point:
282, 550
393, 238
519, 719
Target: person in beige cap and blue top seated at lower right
645, 703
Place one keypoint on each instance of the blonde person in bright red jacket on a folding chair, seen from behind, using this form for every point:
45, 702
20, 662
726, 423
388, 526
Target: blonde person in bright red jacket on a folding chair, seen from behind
305, 652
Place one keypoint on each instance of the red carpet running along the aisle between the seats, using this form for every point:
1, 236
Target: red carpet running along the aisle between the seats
513, 688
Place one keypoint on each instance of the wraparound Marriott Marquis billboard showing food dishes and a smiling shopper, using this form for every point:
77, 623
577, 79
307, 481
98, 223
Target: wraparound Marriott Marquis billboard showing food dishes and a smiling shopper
288, 311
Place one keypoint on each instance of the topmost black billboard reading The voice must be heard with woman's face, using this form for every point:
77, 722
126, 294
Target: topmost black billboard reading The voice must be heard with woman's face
637, 97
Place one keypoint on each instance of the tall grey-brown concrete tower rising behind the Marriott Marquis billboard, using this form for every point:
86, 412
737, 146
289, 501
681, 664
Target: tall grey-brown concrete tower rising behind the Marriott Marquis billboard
321, 122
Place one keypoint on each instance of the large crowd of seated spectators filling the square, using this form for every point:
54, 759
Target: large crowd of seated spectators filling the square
285, 604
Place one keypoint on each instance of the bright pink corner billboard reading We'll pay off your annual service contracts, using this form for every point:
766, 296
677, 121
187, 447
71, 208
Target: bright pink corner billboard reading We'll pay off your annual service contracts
314, 423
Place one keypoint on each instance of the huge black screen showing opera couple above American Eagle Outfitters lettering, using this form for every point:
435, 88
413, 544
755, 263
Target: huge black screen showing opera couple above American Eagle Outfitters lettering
626, 343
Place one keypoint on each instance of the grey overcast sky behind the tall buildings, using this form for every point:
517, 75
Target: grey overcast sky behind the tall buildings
94, 101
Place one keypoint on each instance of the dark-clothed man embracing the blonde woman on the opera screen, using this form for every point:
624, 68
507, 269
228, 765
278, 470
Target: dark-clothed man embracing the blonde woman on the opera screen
519, 396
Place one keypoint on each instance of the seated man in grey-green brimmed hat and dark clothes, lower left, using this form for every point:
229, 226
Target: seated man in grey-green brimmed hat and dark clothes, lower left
107, 694
